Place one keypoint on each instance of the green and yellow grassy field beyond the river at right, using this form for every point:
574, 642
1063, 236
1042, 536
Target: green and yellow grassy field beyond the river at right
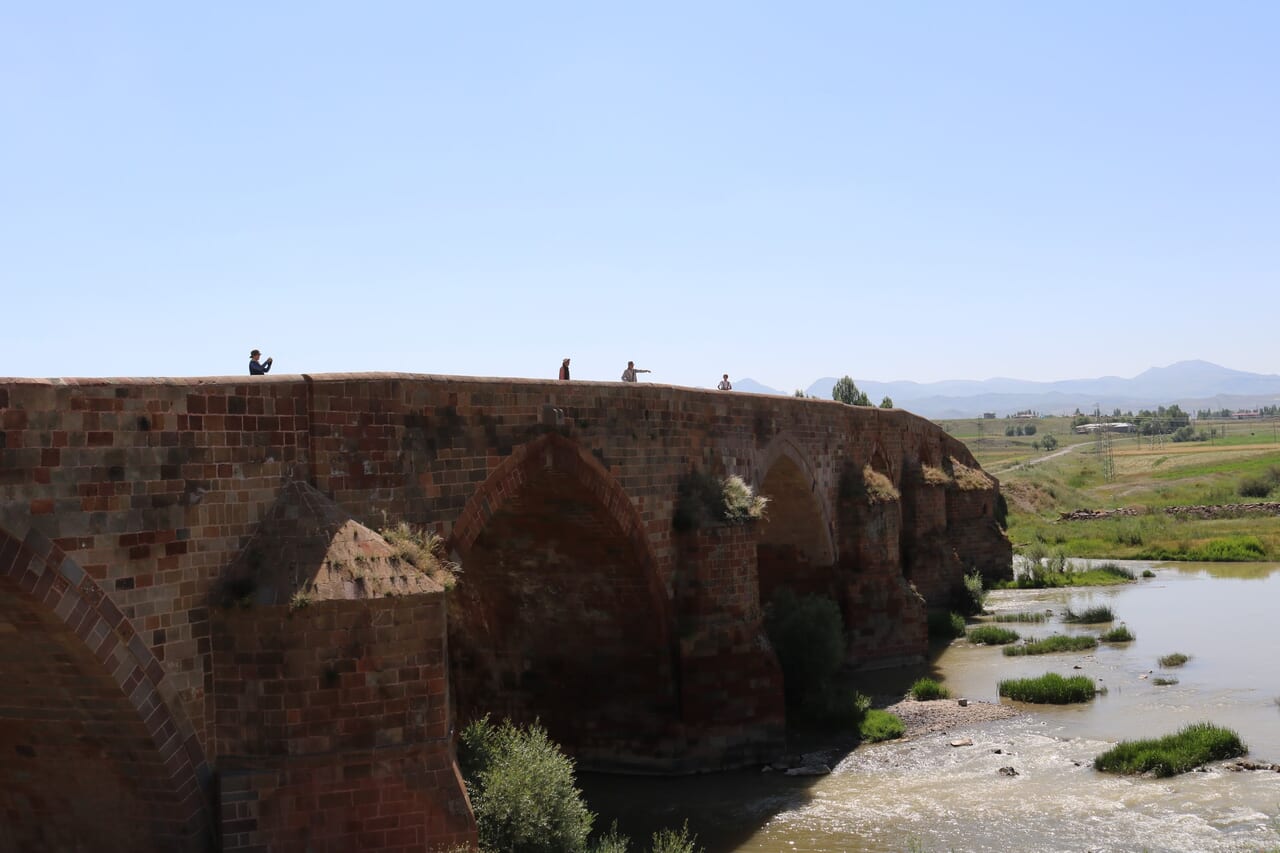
1150, 475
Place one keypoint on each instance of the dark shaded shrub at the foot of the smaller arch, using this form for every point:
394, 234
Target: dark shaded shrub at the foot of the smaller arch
808, 637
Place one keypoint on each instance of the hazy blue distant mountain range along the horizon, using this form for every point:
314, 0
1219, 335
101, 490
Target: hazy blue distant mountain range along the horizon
1191, 385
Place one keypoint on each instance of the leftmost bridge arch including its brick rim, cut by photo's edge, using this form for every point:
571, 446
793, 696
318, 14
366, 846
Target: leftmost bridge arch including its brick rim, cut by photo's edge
97, 758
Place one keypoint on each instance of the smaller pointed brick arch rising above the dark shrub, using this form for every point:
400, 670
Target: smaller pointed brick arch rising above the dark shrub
796, 546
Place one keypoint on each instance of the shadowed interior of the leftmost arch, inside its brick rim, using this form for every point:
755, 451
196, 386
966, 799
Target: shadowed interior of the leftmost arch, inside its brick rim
79, 769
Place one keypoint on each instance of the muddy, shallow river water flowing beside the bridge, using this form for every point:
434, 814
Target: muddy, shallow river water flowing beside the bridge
929, 796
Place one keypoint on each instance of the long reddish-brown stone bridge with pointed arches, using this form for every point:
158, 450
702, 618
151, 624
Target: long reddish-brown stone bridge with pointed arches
204, 644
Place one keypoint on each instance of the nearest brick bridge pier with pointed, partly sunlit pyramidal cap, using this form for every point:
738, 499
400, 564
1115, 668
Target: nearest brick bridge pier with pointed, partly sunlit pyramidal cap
331, 692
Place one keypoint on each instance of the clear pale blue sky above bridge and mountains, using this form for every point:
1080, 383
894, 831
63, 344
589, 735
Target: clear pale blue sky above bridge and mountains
787, 191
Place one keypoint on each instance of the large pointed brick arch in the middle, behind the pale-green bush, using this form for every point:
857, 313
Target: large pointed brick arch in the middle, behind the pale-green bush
561, 614
